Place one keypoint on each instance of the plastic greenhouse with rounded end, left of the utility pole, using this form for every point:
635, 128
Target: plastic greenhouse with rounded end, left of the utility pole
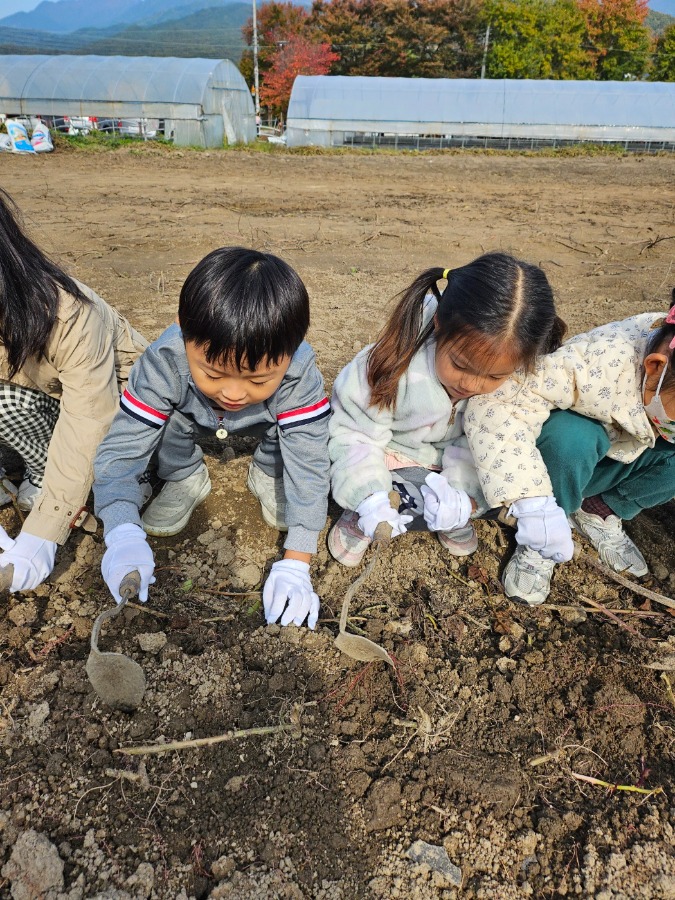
202, 102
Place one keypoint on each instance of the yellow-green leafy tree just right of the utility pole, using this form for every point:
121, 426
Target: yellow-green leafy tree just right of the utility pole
536, 39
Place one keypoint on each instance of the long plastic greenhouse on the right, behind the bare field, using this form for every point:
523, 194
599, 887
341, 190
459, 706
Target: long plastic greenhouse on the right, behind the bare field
422, 112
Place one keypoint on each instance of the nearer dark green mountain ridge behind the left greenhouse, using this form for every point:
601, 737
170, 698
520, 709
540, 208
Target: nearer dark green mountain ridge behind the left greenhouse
214, 33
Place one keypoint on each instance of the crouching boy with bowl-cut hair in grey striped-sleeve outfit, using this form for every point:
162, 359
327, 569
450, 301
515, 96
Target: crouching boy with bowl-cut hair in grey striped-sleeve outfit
234, 363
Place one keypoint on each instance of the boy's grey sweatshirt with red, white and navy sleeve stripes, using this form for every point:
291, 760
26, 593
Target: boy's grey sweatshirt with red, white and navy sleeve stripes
160, 384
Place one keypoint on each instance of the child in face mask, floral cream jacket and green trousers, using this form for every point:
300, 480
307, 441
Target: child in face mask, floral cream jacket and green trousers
591, 430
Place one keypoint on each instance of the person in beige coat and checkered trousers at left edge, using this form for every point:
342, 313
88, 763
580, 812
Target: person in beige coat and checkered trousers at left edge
64, 357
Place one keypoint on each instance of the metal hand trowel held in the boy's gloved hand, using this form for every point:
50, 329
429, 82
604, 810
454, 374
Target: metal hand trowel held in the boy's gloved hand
118, 680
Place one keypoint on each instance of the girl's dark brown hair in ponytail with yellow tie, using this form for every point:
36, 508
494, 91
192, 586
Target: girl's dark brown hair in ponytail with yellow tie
494, 300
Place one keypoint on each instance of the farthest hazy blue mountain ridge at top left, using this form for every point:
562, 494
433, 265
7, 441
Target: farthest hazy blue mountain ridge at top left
66, 16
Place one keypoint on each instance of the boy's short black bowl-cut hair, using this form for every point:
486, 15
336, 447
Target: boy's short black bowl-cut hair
244, 306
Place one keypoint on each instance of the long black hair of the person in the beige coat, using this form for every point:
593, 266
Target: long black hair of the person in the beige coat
29, 290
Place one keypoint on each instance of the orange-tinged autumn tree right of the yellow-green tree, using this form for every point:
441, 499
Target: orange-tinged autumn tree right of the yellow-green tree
618, 41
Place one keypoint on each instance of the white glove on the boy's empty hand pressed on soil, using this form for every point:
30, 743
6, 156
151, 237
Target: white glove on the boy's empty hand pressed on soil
288, 585
